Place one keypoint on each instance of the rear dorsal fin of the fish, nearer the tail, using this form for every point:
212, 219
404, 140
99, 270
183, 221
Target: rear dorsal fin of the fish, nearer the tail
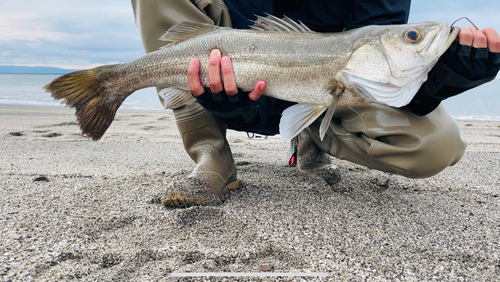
185, 30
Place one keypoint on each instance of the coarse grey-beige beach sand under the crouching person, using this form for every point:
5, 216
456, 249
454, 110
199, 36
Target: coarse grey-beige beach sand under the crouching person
76, 209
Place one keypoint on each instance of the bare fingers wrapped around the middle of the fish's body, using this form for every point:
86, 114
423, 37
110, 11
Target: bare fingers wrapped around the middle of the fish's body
217, 84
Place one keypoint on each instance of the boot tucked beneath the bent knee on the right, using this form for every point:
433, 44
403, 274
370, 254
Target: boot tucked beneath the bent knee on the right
312, 160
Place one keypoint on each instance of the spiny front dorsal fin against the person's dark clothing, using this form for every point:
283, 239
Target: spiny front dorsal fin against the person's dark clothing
272, 23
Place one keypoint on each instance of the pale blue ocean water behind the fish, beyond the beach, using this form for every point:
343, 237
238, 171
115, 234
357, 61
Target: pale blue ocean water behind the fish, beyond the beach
481, 103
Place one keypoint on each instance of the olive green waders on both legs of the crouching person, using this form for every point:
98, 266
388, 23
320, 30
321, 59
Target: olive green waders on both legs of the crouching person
375, 136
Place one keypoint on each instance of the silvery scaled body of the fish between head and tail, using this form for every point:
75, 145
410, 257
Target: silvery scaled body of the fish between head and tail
296, 66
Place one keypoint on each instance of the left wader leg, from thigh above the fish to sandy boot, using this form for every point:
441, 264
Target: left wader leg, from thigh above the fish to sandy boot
203, 135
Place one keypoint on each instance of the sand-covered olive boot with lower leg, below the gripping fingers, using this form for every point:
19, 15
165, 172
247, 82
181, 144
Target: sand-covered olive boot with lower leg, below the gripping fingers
205, 142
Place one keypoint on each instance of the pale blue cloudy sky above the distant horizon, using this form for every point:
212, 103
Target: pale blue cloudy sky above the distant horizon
81, 34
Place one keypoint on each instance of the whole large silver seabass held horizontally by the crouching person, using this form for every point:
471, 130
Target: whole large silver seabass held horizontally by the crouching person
383, 64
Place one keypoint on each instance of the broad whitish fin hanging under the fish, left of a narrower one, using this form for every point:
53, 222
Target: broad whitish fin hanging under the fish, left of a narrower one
297, 117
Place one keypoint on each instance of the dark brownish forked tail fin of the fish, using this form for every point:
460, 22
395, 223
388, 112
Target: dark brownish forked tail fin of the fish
95, 104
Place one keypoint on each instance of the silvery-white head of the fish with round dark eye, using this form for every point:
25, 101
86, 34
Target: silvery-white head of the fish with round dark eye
390, 63
